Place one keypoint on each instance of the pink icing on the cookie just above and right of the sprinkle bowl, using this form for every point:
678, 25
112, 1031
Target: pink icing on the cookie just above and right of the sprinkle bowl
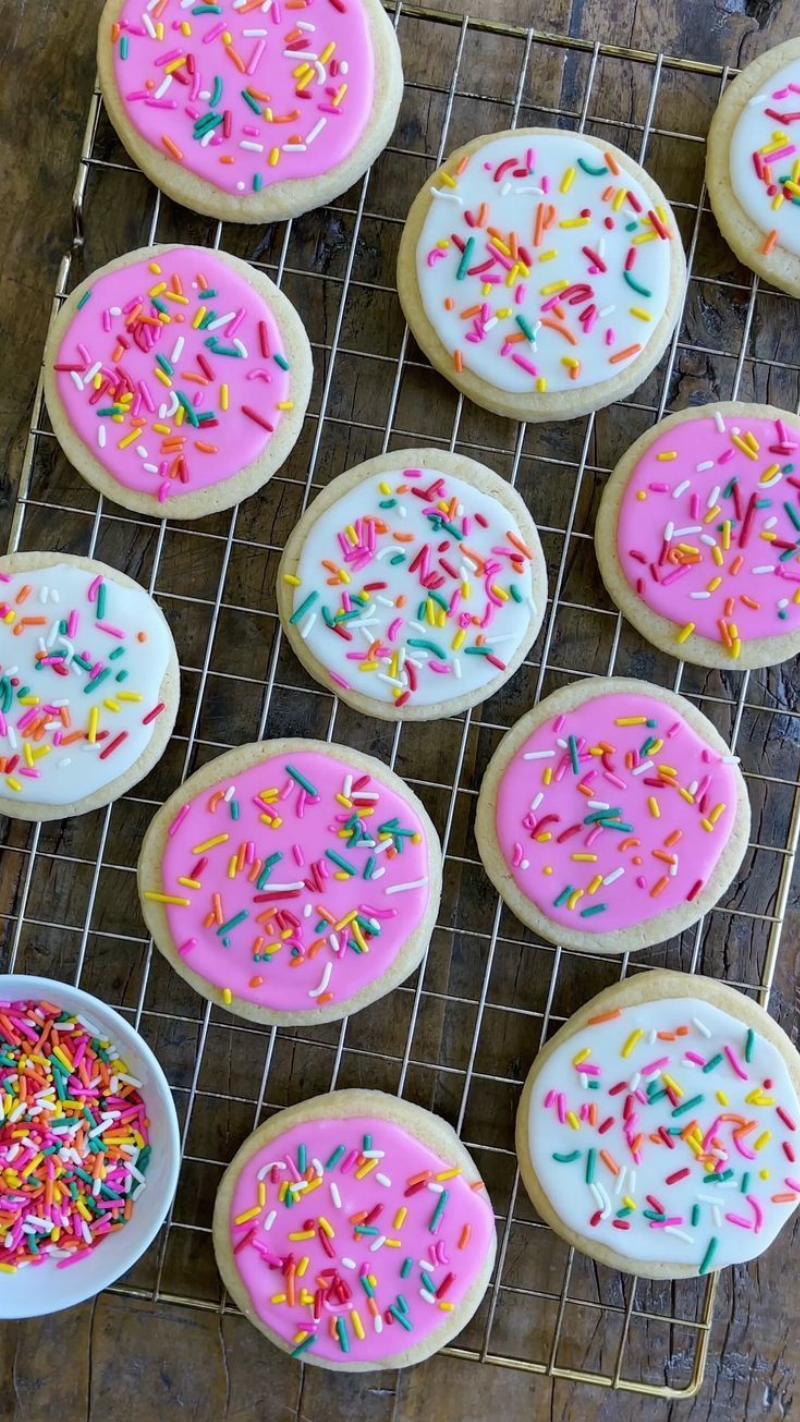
293, 951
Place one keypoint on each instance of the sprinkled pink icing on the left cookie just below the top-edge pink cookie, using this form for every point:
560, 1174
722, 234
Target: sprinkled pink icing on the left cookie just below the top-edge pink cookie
174, 373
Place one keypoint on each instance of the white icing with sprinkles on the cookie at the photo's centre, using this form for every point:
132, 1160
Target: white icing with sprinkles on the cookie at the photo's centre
465, 672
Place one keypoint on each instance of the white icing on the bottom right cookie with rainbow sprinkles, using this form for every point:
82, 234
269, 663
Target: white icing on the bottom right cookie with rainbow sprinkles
711, 1032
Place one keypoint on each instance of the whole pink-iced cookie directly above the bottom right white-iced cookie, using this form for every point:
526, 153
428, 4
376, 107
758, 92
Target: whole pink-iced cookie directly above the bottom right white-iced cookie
612, 817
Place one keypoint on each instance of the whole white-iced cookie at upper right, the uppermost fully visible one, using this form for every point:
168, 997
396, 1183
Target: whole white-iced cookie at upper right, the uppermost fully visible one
542, 274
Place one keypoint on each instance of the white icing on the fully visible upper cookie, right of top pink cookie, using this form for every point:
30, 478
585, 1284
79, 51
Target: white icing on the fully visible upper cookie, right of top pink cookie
514, 204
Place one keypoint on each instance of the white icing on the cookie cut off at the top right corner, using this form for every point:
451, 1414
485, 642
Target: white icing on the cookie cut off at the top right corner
757, 130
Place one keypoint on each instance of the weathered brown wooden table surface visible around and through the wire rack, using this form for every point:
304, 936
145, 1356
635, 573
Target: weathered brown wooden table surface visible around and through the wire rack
171, 1363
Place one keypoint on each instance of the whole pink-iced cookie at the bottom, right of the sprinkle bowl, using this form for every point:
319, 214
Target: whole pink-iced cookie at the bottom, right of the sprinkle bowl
355, 1232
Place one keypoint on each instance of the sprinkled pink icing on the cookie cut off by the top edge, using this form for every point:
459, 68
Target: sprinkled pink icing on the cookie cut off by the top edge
283, 92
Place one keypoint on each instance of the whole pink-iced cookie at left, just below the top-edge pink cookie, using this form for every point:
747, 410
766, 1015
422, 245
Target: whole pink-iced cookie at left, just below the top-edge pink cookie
177, 380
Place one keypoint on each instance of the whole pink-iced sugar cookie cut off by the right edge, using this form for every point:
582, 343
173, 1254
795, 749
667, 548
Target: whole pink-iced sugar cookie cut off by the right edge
698, 535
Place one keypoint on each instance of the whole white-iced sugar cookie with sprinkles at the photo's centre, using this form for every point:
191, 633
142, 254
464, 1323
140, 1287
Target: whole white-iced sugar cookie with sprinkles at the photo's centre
414, 585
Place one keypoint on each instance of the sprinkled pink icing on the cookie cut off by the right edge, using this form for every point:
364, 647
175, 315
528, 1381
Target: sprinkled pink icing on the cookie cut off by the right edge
715, 540
